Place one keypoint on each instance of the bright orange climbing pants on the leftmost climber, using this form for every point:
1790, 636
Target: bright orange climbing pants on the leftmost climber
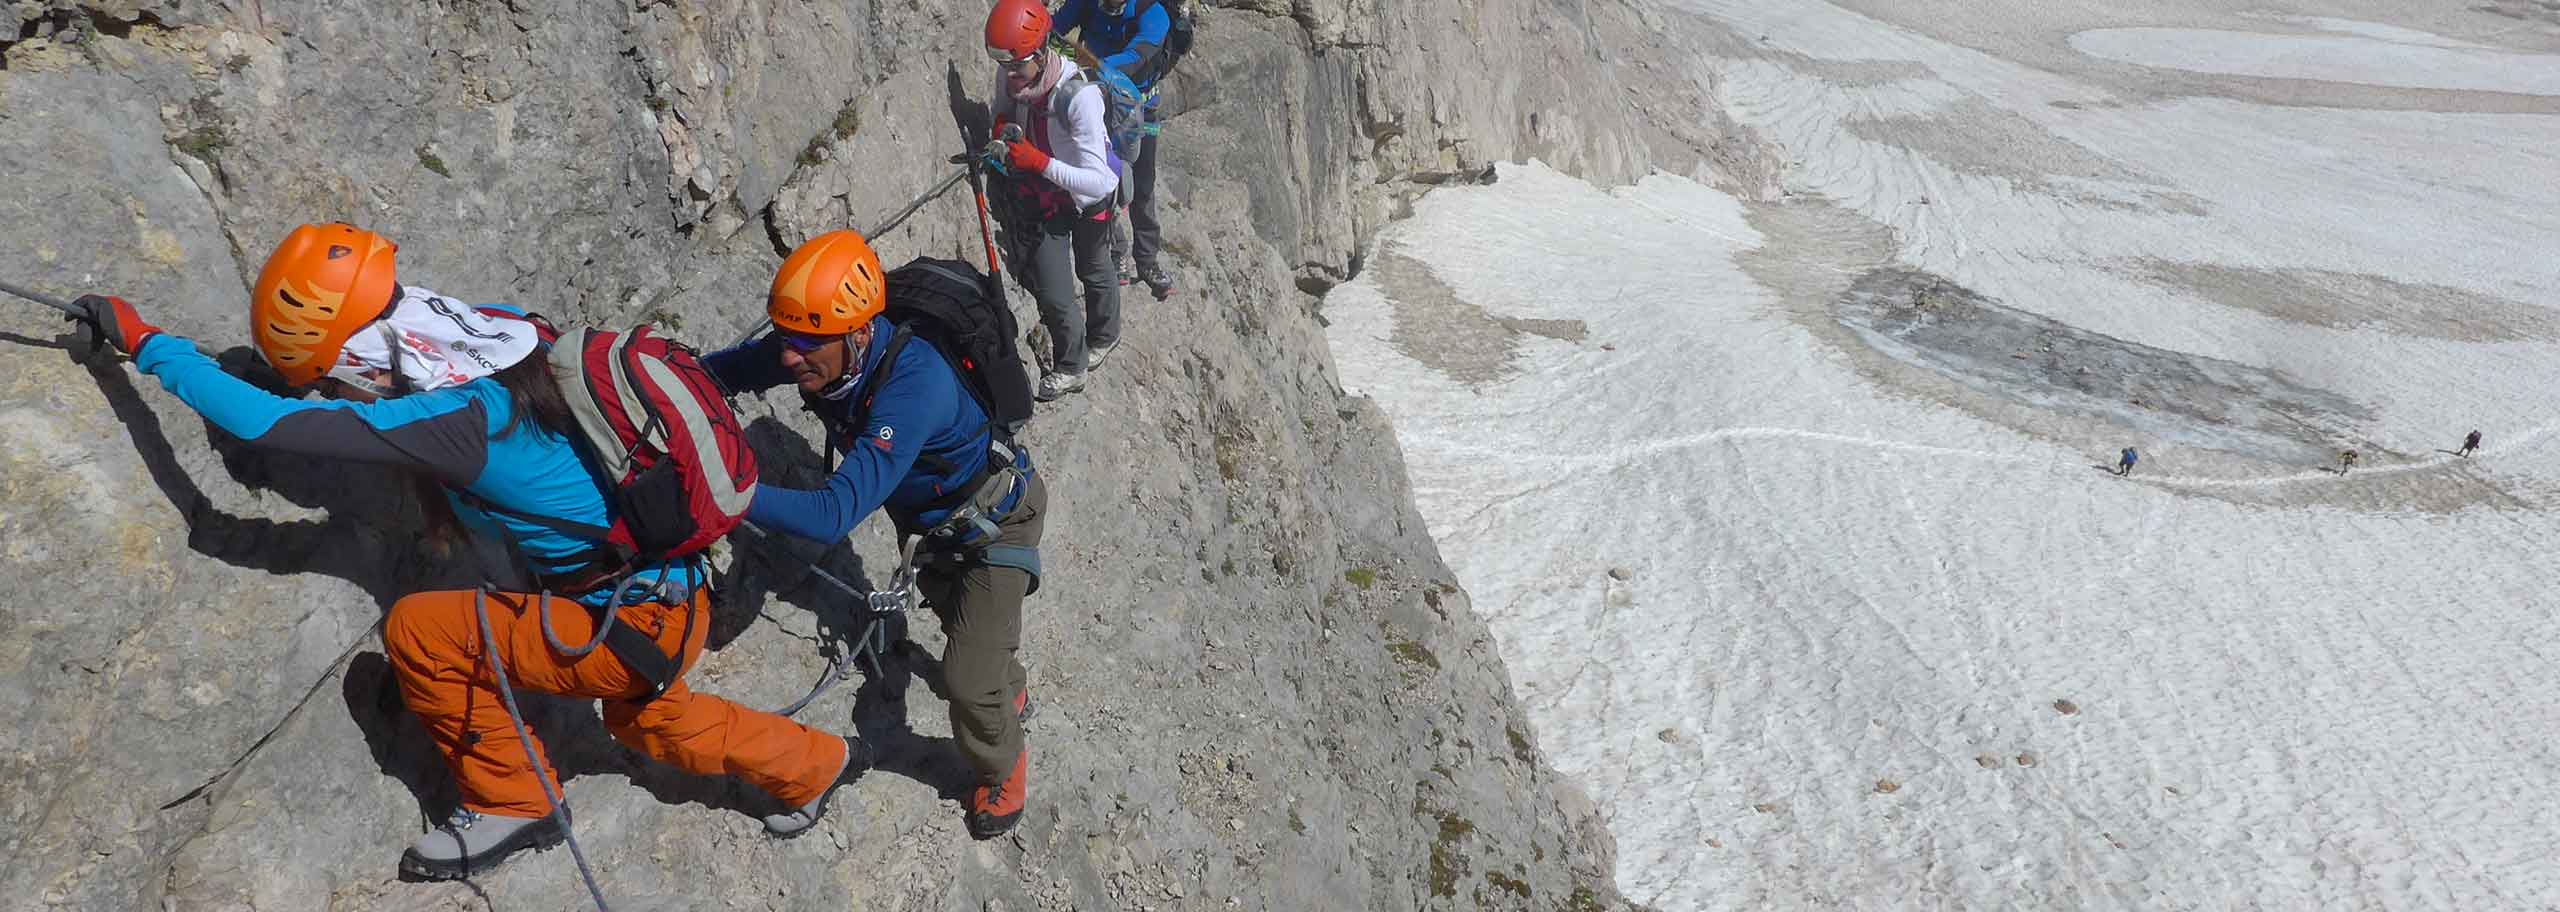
436, 652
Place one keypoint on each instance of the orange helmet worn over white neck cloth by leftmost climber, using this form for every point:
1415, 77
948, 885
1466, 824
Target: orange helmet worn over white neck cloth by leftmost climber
316, 291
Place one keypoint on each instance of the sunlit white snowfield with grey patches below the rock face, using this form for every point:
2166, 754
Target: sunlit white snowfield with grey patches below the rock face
1796, 516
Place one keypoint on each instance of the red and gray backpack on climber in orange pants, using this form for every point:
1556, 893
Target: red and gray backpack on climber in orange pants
662, 432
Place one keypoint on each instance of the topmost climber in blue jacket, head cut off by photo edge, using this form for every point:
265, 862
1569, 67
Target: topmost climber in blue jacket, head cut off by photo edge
1128, 37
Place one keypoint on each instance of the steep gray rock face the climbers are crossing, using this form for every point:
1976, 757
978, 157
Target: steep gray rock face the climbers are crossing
1258, 683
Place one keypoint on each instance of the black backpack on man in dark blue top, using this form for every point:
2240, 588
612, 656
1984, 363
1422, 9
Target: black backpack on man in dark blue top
951, 306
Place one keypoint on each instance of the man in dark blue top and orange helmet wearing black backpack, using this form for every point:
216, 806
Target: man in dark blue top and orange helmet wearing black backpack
920, 447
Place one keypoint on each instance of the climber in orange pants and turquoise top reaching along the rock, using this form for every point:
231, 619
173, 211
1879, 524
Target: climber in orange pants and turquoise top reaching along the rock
462, 401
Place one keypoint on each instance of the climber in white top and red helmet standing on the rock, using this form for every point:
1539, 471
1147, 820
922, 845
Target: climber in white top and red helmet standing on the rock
1056, 193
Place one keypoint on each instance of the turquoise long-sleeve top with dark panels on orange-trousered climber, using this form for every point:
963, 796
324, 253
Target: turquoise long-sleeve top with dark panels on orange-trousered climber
462, 437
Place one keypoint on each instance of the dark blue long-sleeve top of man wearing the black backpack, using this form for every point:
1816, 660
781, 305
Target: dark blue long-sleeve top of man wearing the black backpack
918, 447
